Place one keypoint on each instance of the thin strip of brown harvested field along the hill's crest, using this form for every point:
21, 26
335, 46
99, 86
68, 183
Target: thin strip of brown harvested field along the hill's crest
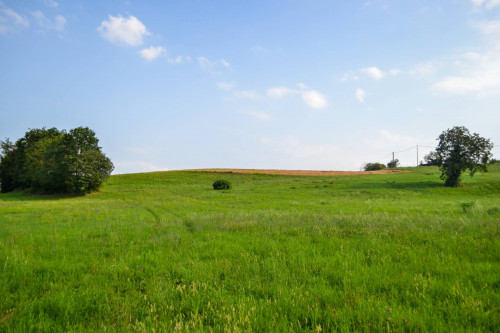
300, 172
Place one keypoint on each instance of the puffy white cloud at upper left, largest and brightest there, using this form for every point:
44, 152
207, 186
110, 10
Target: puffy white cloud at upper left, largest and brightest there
123, 31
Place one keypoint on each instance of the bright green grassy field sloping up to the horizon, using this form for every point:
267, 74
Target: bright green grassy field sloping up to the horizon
165, 252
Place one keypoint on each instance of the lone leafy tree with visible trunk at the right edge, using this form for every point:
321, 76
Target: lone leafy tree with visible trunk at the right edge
459, 151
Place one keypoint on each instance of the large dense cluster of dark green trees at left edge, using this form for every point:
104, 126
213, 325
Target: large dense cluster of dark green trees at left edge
54, 161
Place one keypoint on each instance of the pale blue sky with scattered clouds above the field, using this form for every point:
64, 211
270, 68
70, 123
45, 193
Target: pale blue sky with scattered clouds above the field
297, 84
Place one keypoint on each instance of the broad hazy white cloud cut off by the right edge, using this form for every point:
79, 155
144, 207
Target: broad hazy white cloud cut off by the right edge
480, 73
